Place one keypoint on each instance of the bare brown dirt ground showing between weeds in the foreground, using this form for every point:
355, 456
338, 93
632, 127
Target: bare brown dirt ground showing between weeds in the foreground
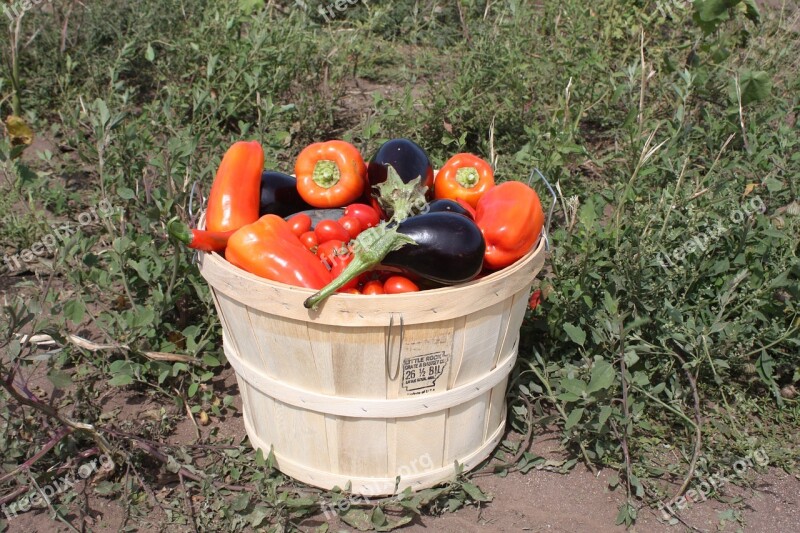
538, 501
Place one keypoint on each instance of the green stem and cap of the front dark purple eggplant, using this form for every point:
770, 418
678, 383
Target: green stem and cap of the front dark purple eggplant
370, 248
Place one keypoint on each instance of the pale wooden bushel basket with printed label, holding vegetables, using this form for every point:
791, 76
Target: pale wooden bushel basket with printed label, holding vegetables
369, 388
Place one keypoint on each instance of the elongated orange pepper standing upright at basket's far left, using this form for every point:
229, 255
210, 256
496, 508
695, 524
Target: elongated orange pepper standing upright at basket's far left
236, 192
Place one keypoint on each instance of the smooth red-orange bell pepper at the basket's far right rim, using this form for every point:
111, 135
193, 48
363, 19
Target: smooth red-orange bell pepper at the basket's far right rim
510, 217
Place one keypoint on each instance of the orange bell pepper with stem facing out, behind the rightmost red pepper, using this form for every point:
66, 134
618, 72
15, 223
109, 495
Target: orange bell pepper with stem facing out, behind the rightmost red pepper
464, 177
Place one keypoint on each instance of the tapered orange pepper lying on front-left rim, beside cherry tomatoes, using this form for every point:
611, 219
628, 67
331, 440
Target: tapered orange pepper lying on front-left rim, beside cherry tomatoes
269, 249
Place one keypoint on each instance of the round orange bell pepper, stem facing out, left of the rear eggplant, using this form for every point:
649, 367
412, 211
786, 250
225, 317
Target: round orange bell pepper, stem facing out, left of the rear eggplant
330, 174
